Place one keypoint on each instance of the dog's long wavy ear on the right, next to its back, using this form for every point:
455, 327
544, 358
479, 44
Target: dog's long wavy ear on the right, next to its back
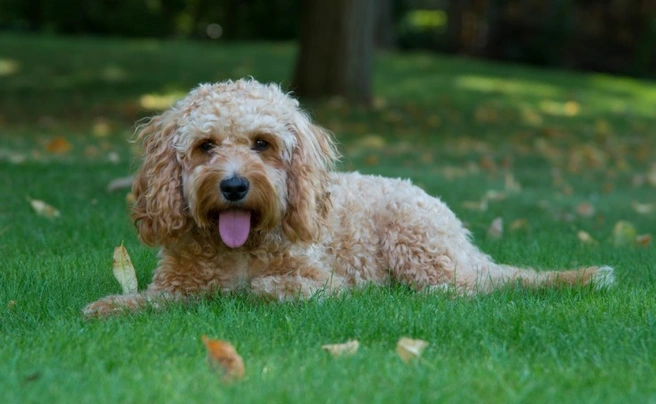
312, 158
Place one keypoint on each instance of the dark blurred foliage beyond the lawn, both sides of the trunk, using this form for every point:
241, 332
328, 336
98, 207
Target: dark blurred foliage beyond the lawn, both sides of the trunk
614, 36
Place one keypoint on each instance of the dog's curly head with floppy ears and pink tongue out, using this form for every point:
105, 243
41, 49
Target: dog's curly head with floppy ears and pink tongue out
234, 160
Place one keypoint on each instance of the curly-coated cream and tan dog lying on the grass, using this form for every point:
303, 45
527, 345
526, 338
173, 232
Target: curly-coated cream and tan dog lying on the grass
237, 188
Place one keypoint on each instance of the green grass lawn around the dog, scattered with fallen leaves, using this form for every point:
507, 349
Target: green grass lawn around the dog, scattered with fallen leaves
457, 127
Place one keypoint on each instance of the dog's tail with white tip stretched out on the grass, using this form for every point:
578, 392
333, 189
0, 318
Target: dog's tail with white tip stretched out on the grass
496, 275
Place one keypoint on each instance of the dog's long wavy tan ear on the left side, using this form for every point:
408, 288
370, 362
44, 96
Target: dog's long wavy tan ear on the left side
159, 210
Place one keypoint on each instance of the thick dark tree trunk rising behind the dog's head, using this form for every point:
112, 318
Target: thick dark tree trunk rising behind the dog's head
336, 50
